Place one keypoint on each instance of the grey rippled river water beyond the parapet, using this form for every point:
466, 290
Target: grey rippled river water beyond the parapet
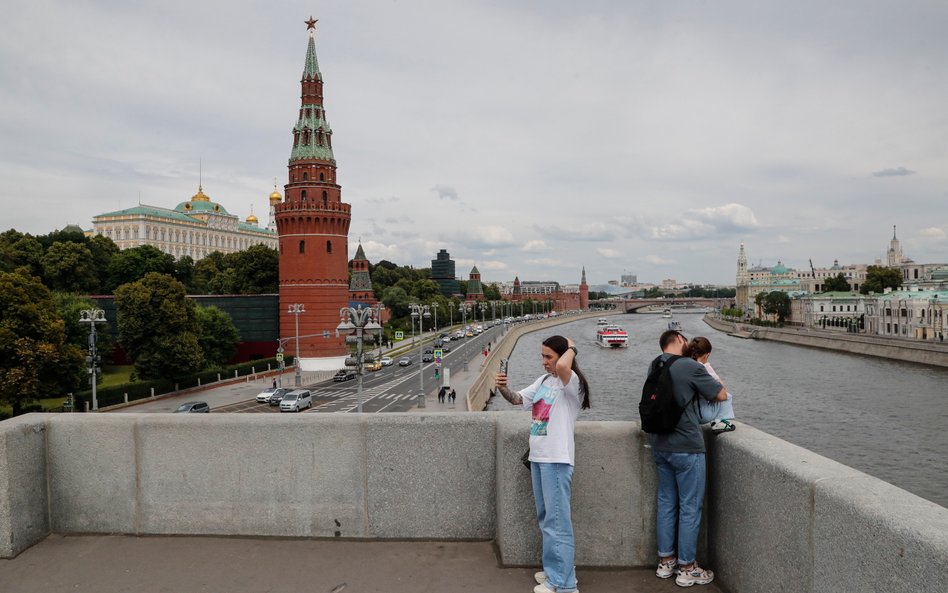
886, 418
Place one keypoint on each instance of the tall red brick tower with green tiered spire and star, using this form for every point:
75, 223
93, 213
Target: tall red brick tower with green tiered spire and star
313, 228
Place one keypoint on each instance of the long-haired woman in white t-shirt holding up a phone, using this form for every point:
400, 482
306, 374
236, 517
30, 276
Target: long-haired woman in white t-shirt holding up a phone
555, 399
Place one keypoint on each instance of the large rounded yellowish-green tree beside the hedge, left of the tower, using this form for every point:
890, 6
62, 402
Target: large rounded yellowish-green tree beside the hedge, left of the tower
157, 327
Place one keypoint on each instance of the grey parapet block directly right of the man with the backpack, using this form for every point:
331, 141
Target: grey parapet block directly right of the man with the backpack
760, 510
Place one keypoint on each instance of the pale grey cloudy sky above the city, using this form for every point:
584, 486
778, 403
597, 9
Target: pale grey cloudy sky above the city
528, 138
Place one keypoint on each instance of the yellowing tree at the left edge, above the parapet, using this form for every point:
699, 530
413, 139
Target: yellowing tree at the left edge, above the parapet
35, 359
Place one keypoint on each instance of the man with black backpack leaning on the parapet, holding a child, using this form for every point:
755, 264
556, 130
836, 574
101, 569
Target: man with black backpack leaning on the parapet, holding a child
674, 383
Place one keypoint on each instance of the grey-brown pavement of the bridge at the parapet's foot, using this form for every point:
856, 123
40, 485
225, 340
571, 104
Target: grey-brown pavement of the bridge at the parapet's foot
123, 564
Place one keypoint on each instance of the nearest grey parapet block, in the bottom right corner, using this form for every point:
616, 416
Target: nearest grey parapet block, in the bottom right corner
869, 535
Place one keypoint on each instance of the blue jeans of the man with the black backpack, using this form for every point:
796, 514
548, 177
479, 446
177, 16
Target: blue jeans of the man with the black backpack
681, 479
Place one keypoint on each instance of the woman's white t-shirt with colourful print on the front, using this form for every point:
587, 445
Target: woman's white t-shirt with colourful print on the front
555, 408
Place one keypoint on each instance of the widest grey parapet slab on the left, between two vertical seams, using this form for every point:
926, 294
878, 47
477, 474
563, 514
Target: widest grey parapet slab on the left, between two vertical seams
264, 475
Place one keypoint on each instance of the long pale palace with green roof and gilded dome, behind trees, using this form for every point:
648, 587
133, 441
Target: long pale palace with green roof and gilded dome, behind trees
194, 228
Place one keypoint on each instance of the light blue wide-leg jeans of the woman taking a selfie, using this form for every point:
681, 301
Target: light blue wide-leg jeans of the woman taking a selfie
552, 492
